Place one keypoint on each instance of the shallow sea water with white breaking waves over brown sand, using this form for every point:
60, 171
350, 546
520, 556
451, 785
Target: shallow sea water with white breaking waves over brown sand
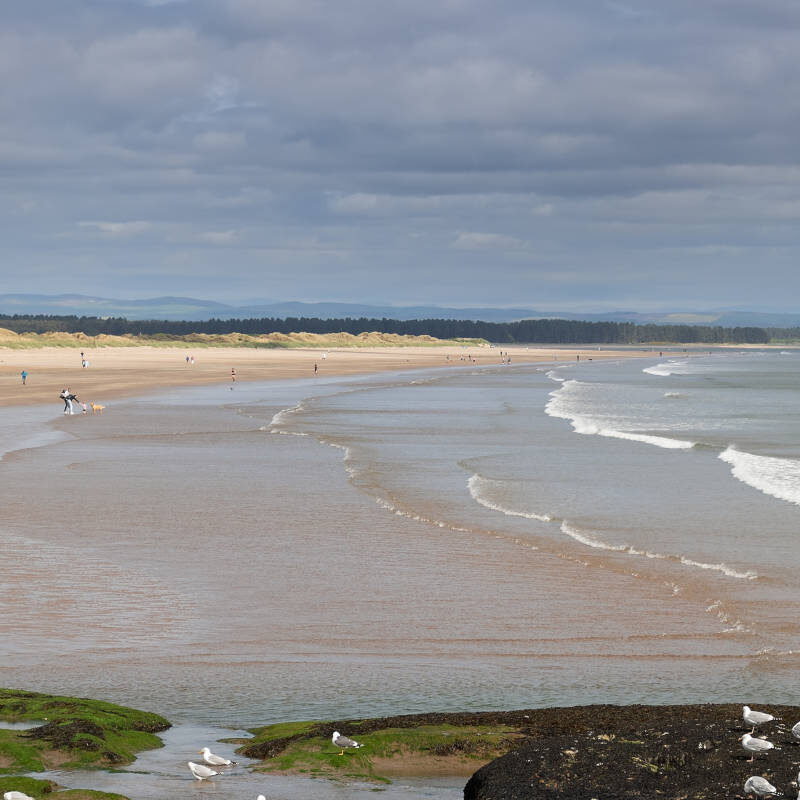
465, 538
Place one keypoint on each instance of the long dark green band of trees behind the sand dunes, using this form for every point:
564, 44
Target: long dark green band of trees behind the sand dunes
528, 331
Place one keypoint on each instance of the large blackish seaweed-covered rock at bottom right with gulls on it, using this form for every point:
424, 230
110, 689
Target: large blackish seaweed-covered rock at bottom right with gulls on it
624, 752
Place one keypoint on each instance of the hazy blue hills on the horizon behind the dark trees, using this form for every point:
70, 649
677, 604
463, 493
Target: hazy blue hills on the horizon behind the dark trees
192, 309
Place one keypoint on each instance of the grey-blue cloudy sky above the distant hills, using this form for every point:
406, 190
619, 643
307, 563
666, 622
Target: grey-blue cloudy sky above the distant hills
565, 154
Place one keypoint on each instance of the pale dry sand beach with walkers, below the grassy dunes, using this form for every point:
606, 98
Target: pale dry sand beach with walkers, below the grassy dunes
115, 373
